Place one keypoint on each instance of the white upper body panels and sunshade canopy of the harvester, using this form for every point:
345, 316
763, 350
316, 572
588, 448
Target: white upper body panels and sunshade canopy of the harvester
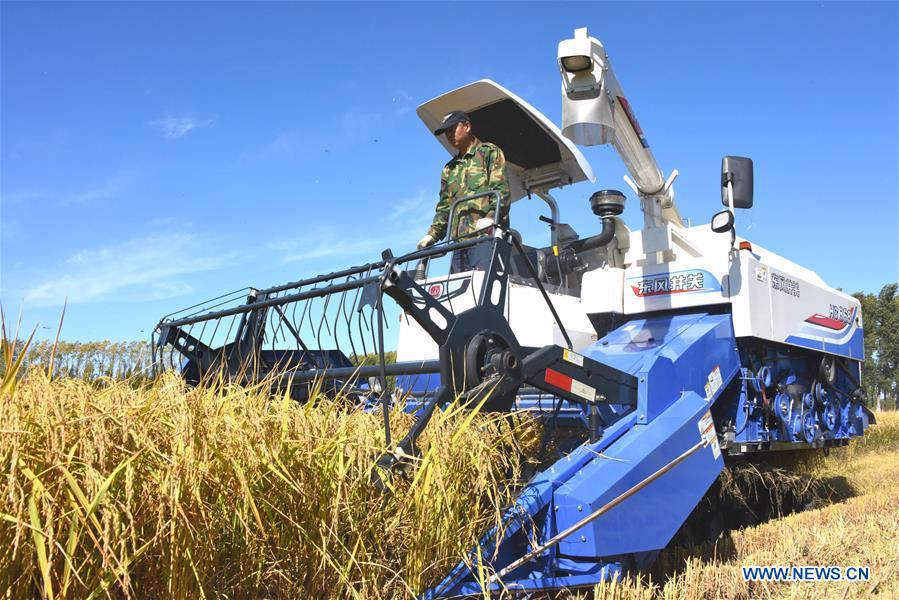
663, 267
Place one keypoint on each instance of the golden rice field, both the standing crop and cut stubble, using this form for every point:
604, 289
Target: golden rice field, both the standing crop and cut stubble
158, 490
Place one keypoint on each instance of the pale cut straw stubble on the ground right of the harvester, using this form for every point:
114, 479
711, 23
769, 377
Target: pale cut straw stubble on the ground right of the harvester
861, 530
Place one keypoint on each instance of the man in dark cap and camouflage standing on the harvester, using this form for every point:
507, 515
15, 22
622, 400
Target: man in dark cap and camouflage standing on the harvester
478, 167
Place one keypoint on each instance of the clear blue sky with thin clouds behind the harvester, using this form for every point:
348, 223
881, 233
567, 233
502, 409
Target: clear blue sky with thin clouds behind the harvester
157, 154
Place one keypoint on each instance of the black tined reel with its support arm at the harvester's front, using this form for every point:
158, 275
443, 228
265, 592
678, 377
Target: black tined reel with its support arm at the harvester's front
480, 361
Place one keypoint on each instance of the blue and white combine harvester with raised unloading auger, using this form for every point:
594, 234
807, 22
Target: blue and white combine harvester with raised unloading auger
670, 348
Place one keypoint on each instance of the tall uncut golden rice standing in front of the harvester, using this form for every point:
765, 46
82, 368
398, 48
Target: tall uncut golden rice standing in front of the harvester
166, 491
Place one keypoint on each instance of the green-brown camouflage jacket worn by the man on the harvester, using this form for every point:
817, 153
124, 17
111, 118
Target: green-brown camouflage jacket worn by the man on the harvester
480, 169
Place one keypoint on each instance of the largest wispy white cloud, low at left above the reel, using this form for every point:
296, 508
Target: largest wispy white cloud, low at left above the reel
140, 269
